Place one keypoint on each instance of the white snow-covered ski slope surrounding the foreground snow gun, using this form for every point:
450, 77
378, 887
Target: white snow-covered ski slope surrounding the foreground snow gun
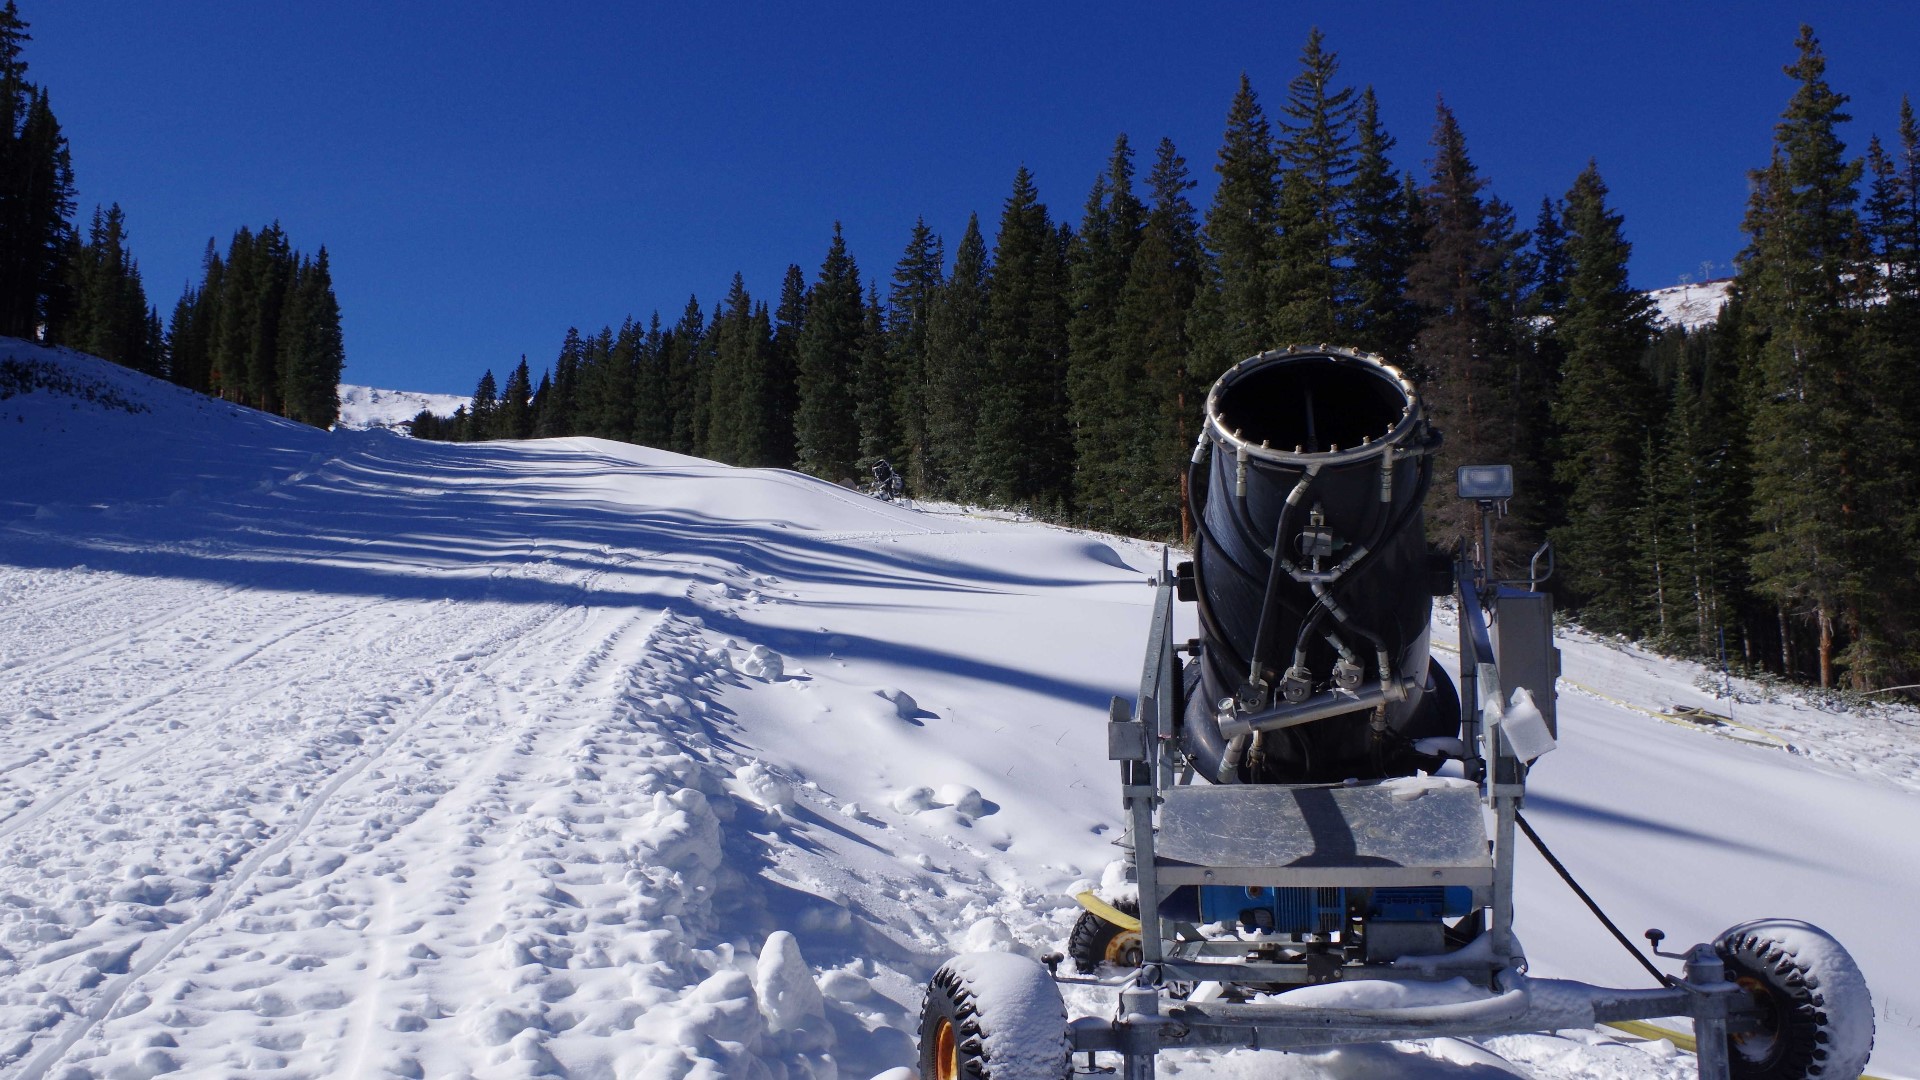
341, 754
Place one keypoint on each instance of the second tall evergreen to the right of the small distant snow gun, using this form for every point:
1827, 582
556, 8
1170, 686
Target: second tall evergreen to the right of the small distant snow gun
957, 364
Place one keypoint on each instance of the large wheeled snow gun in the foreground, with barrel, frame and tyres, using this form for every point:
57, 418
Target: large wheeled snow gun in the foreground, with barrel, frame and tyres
1308, 798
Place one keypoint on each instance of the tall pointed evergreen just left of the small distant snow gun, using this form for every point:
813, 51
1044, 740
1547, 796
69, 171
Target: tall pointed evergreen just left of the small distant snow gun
827, 431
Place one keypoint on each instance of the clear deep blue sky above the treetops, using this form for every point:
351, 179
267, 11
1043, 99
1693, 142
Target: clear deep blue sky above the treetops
487, 174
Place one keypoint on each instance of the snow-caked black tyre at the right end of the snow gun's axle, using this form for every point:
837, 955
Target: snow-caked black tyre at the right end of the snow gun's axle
1817, 1016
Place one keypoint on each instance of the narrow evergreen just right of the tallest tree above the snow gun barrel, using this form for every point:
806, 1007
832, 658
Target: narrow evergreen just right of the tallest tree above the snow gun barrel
1381, 241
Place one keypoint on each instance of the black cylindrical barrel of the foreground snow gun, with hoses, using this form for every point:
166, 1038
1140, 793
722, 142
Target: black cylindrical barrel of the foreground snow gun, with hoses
1312, 572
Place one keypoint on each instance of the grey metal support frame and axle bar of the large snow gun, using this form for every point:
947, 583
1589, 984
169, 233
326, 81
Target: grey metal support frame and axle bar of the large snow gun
1316, 837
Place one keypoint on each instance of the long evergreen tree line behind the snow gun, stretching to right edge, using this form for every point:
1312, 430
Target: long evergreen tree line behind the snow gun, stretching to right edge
1752, 487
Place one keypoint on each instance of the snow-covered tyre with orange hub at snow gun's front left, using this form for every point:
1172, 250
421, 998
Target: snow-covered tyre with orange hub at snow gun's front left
994, 1018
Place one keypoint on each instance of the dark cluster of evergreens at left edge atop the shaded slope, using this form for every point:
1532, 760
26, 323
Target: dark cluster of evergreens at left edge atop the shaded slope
262, 330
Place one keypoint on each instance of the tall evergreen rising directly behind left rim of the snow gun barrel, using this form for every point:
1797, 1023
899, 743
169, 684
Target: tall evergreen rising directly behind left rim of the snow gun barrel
1232, 320
